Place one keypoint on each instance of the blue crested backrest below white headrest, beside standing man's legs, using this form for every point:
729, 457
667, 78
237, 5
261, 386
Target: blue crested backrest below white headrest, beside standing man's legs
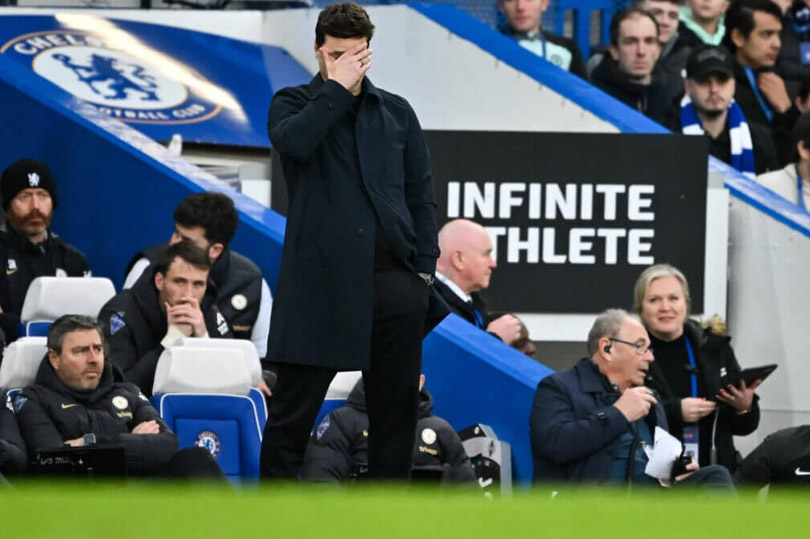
226, 425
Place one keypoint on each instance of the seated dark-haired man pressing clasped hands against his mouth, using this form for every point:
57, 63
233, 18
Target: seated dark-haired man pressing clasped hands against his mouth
139, 323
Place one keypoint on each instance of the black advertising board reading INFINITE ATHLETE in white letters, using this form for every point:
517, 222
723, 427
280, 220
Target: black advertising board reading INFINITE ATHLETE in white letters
574, 218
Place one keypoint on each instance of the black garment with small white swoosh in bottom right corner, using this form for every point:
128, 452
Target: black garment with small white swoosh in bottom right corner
783, 457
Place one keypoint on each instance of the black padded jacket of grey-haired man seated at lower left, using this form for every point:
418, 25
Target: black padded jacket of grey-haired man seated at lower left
49, 413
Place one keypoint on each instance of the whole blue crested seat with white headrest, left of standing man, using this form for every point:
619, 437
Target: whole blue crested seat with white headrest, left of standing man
202, 395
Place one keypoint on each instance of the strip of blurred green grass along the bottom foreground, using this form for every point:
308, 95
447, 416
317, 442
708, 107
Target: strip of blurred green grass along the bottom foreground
203, 511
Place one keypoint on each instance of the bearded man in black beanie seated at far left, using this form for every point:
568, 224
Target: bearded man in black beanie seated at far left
28, 249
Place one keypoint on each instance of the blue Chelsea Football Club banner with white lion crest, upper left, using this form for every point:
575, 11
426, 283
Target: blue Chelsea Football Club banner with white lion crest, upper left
159, 79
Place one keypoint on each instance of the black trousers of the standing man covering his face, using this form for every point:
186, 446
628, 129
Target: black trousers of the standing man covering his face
391, 385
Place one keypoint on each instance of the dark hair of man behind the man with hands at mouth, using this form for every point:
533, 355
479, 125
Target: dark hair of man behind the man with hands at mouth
213, 212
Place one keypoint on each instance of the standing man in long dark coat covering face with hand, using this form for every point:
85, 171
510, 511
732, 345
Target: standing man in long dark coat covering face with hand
359, 252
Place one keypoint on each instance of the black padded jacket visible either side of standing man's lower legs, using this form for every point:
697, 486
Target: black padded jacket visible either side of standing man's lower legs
338, 449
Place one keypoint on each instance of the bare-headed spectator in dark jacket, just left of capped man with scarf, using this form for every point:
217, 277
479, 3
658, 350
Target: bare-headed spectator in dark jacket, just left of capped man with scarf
630, 72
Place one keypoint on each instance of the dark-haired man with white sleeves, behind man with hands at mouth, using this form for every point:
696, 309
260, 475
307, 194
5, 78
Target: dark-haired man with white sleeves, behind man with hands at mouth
209, 220
